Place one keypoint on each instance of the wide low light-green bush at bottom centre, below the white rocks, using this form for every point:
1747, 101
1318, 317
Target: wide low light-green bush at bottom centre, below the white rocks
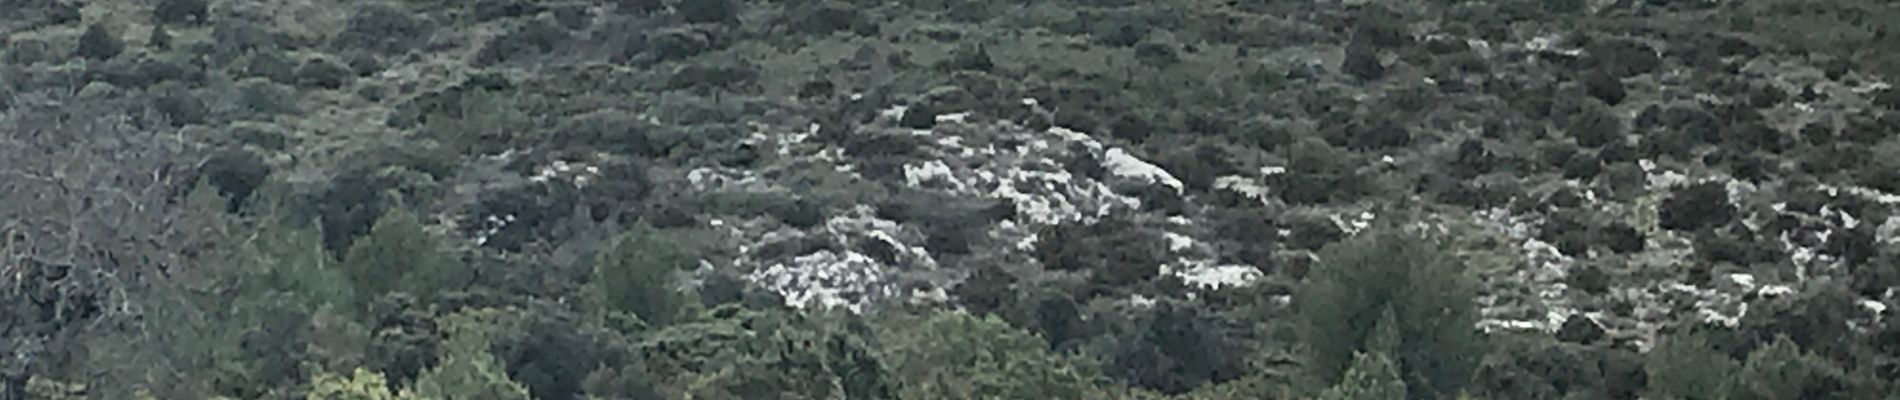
959, 355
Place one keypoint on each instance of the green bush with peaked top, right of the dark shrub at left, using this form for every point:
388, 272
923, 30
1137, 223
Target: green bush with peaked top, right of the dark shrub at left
402, 257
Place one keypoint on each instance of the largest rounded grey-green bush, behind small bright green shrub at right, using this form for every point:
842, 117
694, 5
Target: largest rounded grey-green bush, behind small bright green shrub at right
1401, 278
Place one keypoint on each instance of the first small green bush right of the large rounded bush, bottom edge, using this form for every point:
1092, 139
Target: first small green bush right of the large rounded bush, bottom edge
1688, 367
